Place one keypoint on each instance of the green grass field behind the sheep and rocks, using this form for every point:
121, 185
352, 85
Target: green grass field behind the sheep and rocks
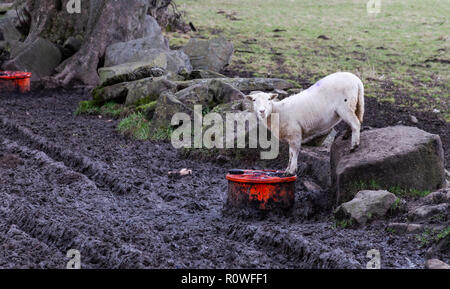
401, 54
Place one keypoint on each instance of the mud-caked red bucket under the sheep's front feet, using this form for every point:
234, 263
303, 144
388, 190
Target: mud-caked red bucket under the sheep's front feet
263, 189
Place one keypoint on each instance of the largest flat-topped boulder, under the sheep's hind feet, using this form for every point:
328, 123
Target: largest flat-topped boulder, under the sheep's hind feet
392, 157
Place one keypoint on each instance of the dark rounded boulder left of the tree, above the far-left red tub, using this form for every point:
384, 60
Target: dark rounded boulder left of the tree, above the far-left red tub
40, 57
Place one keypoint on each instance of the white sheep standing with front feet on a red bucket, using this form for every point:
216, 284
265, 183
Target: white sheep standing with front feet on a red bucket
315, 111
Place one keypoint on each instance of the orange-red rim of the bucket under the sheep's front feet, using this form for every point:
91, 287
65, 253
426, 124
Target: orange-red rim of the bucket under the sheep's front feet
259, 177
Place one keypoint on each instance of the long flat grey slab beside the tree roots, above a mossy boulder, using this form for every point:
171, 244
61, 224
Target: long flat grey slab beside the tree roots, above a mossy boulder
122, 73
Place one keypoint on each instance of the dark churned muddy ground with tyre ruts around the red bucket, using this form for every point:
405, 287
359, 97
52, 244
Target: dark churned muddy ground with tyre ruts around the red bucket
70, 182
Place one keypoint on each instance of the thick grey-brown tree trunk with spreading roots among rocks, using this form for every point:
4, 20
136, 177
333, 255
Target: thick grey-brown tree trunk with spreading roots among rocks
101, 23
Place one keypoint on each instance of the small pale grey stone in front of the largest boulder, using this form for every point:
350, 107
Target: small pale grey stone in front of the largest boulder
366, 205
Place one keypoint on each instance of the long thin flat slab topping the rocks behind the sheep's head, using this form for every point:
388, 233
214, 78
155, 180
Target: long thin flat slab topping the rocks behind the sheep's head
246, 85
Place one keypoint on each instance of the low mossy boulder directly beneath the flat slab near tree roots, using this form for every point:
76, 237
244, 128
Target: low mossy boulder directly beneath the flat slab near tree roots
134, 92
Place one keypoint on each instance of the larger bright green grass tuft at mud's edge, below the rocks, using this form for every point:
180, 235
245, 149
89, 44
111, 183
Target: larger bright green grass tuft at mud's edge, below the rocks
136, 126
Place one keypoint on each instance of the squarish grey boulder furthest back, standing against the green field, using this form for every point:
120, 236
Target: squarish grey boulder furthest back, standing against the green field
212, 54
